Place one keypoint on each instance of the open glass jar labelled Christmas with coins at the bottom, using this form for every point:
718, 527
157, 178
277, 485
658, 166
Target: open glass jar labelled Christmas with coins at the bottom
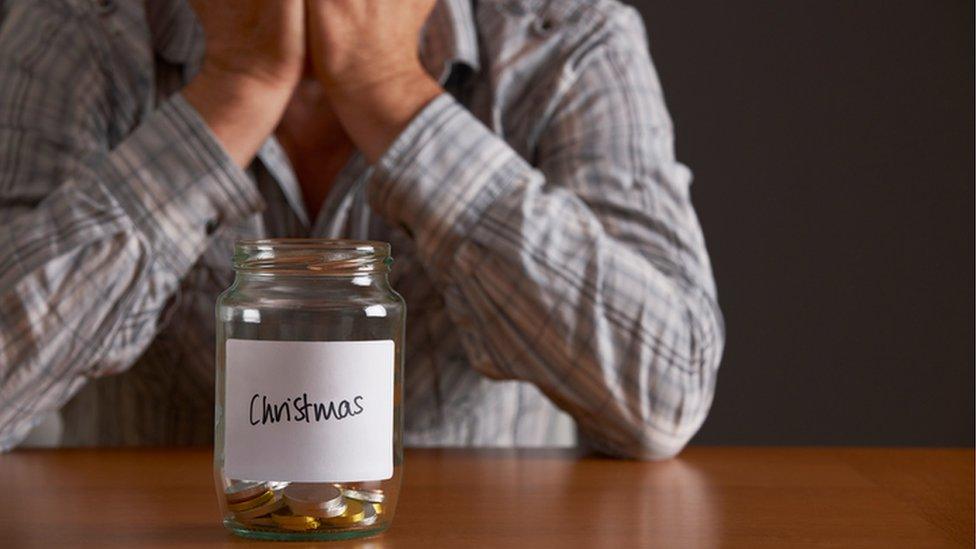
308, 441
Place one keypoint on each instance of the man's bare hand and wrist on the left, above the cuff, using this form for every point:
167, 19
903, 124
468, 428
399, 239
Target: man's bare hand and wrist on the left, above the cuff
254, 59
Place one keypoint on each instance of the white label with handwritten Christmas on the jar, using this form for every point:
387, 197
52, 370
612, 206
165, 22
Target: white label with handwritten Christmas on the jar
309, 411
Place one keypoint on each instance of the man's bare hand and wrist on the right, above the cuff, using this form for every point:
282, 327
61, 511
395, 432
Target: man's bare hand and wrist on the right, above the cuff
365, 54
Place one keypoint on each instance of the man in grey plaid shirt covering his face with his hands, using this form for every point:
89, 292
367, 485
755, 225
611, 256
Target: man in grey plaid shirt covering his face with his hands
519, 160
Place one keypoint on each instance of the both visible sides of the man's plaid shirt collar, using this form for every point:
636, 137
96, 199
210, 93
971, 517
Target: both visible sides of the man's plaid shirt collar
450, 37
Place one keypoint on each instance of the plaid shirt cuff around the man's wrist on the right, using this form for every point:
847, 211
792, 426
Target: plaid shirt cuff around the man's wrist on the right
441, 175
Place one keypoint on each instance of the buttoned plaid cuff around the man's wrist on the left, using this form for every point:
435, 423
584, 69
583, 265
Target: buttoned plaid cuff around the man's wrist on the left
177, 184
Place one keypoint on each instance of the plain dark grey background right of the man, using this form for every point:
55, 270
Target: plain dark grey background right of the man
833, 150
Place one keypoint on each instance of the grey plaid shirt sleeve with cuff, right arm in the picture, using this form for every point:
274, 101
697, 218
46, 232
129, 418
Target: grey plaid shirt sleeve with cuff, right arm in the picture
584, 272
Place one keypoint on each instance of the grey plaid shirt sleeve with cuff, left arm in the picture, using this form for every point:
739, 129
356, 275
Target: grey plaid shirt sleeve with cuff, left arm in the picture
94, 239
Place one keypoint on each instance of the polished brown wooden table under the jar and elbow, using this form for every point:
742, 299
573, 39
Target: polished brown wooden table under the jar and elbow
740, 497
